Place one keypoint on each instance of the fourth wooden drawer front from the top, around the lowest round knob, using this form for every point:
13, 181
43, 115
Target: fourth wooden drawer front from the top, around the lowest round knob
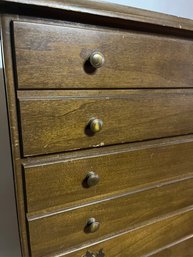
48, 233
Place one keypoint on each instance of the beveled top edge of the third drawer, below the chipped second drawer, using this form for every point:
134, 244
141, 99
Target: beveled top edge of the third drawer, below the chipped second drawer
36, 161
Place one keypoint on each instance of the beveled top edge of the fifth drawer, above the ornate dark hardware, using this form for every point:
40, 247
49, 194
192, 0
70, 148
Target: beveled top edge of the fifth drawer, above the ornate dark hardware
121, 233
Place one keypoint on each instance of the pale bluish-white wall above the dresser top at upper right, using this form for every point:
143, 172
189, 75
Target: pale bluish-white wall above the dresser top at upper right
183, 8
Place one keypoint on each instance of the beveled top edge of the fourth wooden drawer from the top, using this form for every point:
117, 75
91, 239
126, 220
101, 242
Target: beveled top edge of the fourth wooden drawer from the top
42, 215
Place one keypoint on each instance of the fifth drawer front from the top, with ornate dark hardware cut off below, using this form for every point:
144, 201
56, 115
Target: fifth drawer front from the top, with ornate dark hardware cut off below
147, 239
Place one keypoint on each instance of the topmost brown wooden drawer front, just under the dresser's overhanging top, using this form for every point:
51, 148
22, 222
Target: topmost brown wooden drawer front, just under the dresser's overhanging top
51, 56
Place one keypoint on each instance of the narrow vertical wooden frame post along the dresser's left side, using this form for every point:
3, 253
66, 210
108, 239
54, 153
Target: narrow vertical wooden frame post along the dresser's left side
14, 134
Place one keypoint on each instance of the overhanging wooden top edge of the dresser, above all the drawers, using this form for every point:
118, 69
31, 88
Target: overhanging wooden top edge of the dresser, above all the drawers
104, 10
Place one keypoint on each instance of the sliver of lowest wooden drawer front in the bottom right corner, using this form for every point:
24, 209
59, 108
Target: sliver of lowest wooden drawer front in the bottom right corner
182, 249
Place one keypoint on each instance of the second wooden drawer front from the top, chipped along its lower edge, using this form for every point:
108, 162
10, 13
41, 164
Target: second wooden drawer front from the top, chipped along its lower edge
60, 121
